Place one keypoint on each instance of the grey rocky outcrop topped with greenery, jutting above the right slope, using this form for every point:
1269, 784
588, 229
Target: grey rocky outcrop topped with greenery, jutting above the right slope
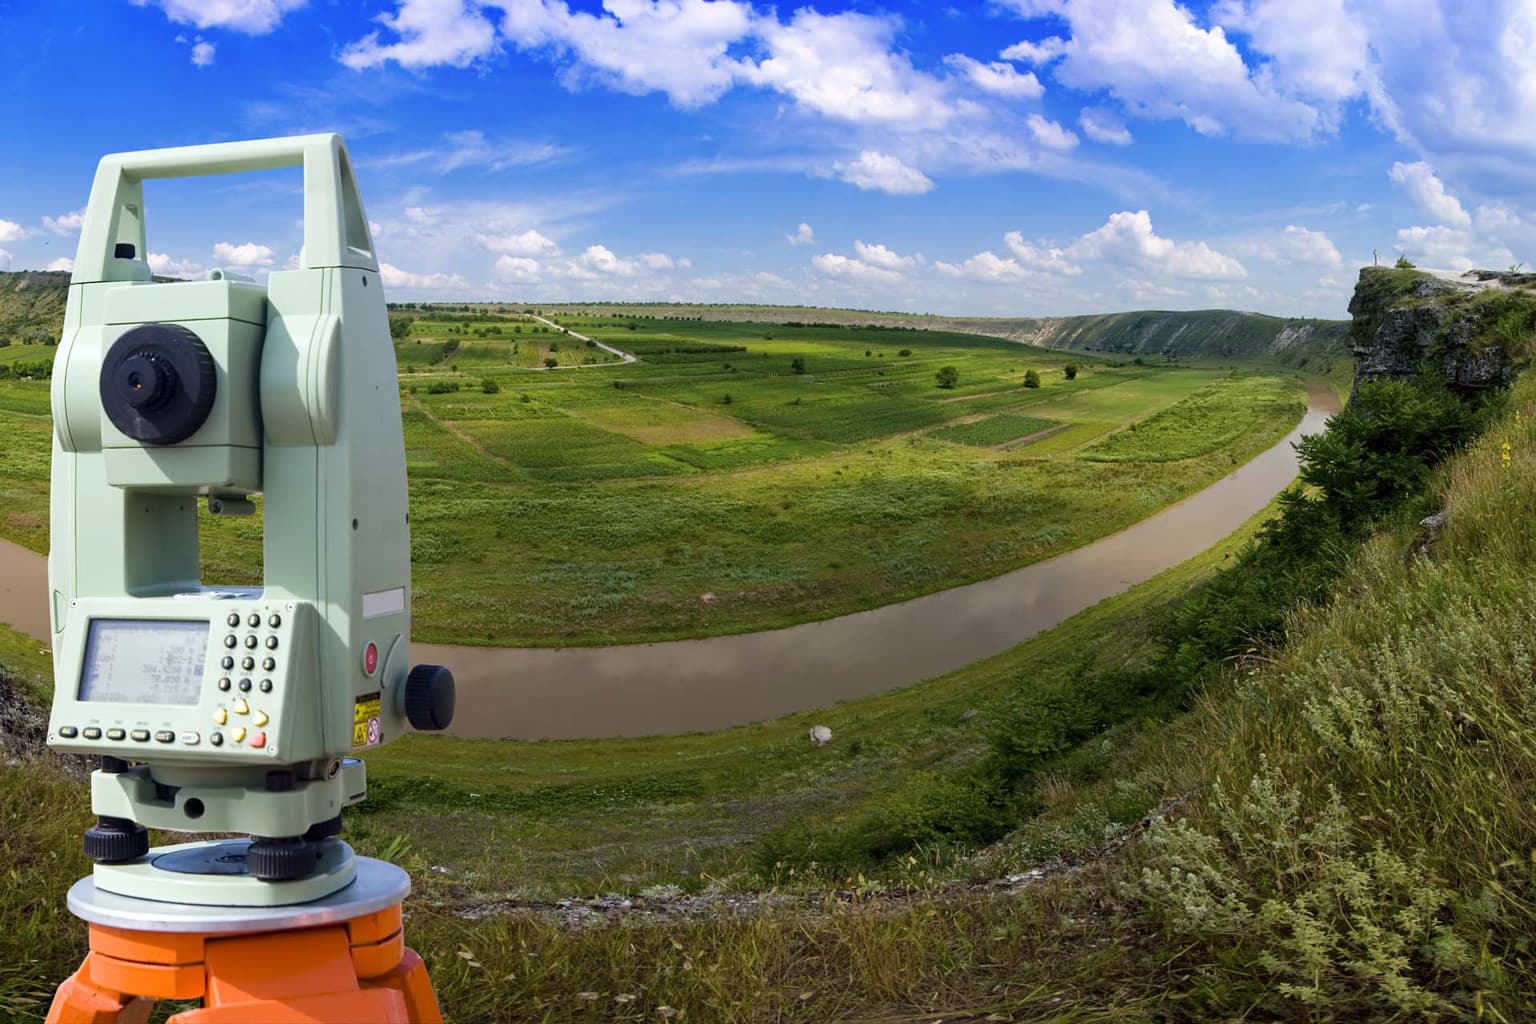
1474, 329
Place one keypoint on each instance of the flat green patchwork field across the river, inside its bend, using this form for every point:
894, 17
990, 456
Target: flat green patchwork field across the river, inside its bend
786, 472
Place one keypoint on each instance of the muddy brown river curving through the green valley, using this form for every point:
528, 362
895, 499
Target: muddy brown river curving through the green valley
721, 682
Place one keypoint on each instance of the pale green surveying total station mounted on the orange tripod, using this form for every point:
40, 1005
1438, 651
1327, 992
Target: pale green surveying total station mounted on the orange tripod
227, 709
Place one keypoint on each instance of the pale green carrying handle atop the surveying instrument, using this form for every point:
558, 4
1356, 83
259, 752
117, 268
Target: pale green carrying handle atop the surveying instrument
336, 226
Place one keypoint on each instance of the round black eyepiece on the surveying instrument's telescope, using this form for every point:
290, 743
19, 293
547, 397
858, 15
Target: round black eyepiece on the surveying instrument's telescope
157, 383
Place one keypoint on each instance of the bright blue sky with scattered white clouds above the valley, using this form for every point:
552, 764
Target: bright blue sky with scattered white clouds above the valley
1001, 157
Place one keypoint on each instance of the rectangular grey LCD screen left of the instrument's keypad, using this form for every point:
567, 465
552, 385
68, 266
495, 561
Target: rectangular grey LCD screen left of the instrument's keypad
145, 661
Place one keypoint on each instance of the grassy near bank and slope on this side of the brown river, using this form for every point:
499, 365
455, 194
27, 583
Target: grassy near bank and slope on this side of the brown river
1337, 830
